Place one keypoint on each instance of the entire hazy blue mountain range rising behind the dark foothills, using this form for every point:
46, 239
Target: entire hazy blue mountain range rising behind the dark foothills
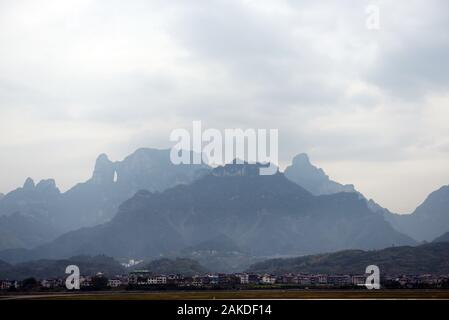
228, 217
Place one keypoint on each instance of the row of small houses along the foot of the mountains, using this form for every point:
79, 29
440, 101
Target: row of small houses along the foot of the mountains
144, 278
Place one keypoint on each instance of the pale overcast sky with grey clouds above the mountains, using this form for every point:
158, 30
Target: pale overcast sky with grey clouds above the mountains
371, 107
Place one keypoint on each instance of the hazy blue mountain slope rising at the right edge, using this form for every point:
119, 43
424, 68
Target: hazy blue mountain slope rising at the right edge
429, 220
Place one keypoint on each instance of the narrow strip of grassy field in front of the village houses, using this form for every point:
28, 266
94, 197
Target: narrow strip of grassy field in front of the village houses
240, 294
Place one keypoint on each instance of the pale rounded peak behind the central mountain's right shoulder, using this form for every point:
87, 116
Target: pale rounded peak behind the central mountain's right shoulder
313, 179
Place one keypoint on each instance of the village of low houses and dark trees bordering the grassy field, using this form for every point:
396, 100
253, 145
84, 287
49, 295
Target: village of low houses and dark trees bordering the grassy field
146, 280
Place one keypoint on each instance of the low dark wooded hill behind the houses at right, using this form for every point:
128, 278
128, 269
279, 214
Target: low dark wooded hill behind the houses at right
430, 258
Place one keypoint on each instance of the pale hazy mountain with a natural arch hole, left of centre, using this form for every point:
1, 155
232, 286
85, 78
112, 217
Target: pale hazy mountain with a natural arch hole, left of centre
92, 202
